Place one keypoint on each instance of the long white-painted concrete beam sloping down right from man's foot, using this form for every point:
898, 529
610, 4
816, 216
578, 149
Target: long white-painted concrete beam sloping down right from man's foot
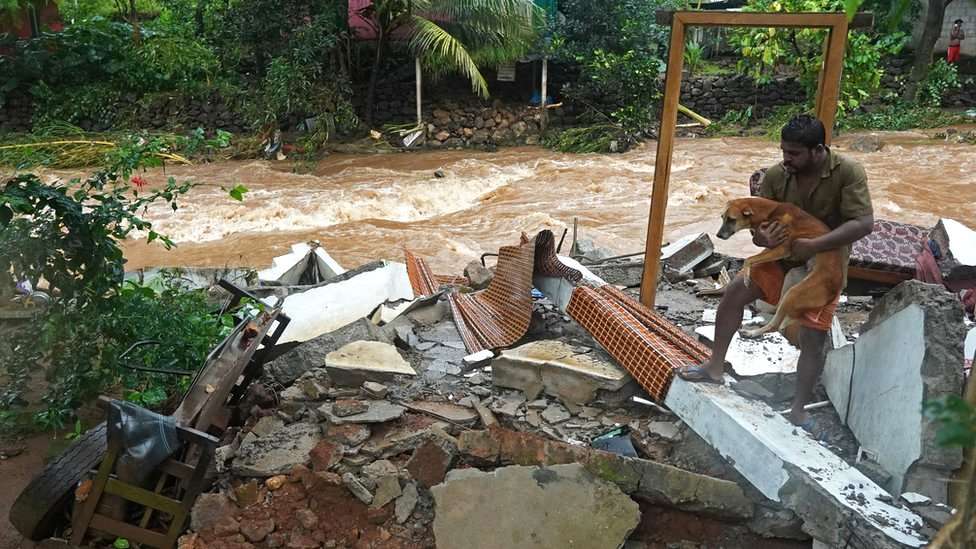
786, 465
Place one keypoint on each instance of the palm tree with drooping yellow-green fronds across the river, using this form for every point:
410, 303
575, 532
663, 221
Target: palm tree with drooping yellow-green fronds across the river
453, 35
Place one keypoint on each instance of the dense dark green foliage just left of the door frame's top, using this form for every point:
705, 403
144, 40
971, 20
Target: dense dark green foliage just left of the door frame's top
618, 49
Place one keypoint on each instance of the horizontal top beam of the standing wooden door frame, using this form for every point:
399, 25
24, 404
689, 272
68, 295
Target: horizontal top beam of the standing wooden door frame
723, 18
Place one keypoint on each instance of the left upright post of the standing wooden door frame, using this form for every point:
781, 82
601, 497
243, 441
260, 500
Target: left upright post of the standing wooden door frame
662, 165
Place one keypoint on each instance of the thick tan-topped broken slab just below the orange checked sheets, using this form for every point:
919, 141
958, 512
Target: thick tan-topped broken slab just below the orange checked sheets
570, 373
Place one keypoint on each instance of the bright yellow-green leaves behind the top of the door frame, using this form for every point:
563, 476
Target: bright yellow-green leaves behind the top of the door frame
766, 51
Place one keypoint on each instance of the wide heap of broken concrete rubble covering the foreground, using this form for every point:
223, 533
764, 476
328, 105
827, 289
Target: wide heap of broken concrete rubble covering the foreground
386, 432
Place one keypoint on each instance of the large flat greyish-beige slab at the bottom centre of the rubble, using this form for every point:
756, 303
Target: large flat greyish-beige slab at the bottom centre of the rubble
516, 503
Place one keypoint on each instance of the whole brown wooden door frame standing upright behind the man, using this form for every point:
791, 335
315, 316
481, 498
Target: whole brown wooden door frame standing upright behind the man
828, 93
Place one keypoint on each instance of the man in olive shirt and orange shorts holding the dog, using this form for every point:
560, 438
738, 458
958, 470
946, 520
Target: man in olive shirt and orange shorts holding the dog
832, 188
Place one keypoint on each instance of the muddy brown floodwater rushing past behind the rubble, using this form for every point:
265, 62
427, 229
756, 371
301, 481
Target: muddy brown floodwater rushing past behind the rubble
364, 207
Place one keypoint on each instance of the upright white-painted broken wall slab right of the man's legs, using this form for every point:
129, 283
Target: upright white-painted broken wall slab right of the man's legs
909, 351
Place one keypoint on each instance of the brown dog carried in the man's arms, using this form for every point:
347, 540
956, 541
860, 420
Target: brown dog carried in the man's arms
822, 284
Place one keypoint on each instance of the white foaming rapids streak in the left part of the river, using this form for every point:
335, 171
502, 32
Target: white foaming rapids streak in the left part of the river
307, 202
